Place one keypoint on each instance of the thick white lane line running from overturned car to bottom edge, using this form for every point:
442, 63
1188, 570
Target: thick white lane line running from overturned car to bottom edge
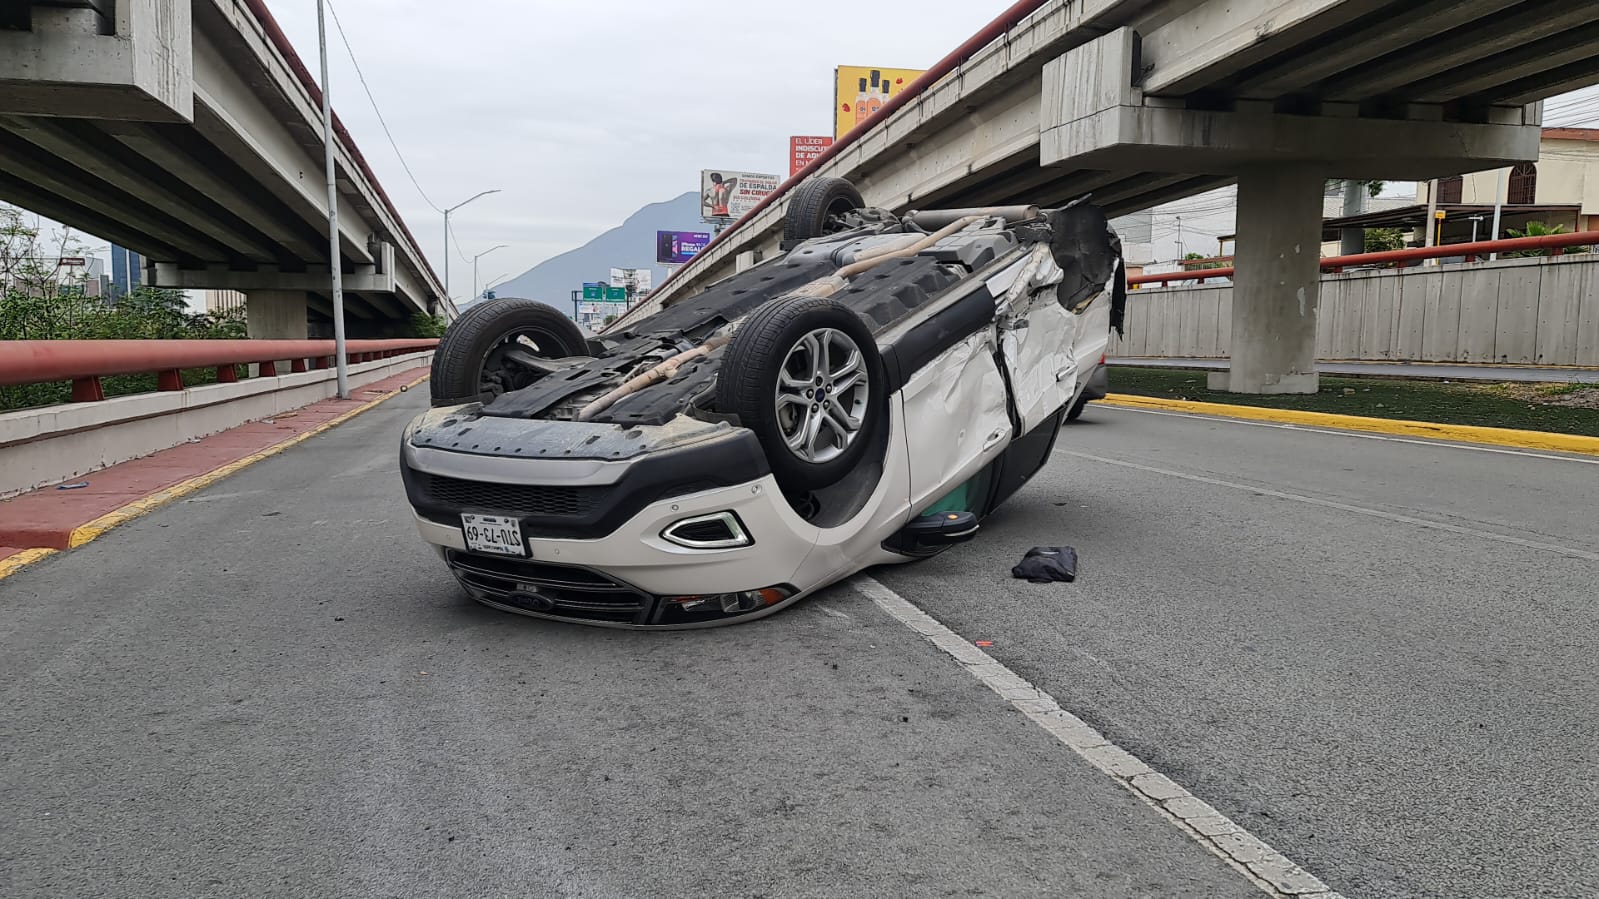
1246, 853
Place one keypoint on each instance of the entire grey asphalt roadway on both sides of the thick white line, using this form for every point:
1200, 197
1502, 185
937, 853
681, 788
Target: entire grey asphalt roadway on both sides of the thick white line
1376, 655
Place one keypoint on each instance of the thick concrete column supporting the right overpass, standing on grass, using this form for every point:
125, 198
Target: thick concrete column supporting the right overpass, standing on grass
1275, 292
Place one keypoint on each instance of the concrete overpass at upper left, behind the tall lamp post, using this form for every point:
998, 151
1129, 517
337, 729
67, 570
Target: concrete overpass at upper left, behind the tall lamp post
191, 132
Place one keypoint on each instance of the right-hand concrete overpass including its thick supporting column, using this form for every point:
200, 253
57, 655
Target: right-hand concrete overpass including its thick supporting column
1146, 102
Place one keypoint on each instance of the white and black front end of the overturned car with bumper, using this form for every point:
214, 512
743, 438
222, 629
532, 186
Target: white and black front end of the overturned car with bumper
594, 527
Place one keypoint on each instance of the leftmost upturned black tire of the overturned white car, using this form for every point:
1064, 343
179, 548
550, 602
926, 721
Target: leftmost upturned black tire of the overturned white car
469, 366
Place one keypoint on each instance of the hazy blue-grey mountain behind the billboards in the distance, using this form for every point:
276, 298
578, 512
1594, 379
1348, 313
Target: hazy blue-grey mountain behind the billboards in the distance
631, 246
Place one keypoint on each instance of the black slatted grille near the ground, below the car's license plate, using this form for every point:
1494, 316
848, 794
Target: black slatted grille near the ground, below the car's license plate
559, 591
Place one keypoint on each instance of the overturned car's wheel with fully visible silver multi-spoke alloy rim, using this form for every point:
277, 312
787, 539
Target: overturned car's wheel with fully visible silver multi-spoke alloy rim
770, 374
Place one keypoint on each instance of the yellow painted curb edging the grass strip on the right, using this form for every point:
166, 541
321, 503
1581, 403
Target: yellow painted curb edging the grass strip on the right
1434, 431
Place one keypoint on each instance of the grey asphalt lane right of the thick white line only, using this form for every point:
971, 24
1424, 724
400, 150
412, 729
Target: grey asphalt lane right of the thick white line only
1378, 655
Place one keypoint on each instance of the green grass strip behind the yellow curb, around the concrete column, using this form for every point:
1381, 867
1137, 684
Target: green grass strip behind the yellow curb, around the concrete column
1558, 409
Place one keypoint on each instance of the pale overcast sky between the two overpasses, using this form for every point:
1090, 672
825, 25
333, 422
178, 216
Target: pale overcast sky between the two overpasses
581, 113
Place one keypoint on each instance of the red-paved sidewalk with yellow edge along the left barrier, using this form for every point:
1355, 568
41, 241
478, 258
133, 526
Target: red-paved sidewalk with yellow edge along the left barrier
58, 519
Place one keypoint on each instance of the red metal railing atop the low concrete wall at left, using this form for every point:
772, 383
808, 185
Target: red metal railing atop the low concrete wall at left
86, 362
